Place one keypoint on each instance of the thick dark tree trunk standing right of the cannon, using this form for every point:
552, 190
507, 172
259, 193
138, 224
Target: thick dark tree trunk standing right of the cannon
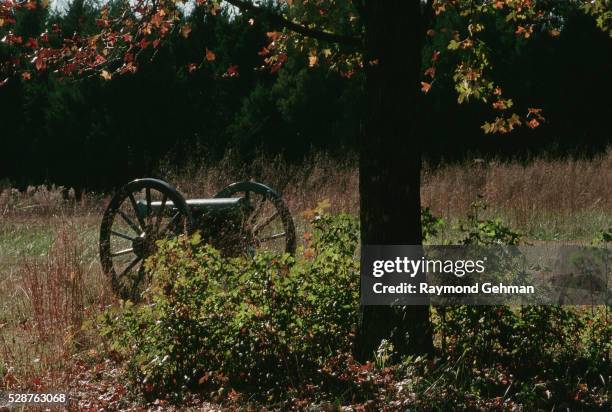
390, 163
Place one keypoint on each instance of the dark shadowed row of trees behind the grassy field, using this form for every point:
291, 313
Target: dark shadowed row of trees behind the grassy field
96, 134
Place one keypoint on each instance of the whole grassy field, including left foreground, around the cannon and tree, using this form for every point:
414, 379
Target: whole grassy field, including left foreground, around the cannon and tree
51, 285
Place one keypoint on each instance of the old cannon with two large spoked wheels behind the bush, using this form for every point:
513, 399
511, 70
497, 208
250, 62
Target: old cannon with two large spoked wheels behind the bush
241, 219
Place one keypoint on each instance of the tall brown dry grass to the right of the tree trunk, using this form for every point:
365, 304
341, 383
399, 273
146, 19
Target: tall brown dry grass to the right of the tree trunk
559, 186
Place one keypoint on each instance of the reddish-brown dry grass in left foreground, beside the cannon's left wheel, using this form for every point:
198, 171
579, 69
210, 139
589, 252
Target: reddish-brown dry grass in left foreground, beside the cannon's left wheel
47, 298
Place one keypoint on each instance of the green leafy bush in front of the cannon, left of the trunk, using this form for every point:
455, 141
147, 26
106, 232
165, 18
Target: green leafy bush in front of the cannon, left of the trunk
261, 323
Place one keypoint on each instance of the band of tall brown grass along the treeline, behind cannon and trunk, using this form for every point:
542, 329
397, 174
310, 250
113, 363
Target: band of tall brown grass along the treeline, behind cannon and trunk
529, 194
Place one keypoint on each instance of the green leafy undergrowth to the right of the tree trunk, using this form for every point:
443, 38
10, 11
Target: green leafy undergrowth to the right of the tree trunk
524, 351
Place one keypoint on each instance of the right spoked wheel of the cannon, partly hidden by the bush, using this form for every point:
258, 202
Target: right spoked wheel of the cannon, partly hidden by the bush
269, 224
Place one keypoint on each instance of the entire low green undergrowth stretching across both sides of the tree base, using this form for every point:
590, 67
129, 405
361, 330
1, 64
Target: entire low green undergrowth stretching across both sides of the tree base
275, 331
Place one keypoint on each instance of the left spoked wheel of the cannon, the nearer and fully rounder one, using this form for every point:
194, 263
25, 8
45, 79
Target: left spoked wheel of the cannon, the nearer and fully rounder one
127, 237
